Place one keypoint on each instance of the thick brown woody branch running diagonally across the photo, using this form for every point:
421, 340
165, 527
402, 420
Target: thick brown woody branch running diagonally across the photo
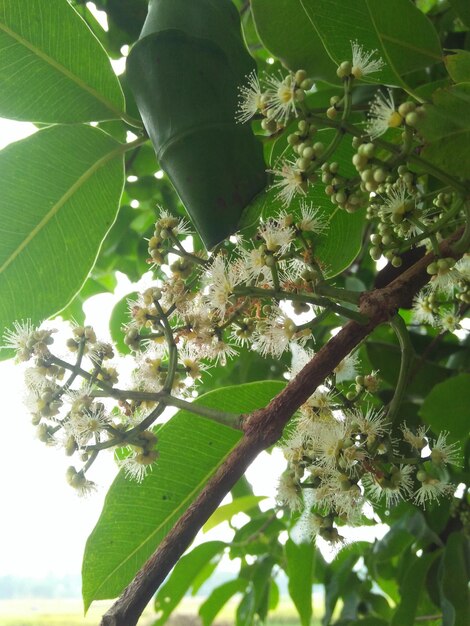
262, 429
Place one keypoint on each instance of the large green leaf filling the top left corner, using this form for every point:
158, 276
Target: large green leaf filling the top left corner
52, 68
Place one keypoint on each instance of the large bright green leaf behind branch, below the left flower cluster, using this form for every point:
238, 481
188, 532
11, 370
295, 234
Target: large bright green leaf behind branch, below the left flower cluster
124, 538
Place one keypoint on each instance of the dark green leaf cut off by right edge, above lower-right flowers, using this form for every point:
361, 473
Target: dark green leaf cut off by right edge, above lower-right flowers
446, 407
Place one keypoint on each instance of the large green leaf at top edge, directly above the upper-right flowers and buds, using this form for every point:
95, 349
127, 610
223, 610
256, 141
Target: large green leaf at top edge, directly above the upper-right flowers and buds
402, 35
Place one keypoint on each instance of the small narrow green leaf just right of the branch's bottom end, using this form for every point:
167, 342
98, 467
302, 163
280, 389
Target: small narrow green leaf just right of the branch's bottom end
185, 571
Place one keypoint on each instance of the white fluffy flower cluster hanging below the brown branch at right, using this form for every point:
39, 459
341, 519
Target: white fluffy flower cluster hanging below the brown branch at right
340, 458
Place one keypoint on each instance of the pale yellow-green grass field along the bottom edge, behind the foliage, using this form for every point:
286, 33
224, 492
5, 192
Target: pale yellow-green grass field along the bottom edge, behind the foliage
70, 613
